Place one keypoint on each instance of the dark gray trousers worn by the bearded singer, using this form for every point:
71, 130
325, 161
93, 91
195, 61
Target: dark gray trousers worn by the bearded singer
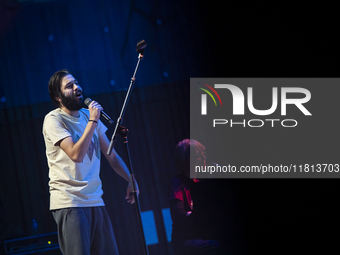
85, 231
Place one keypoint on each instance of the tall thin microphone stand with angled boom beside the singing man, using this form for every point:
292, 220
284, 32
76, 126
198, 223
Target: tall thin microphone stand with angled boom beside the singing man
124, 132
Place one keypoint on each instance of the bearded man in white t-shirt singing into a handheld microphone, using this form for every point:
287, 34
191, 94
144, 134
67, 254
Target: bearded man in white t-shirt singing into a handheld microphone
74, 138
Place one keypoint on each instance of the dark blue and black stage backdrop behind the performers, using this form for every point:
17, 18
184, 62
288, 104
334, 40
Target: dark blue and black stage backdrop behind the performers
96, 41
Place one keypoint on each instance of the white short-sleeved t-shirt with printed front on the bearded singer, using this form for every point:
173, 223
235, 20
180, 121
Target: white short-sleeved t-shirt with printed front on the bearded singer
72, 184
